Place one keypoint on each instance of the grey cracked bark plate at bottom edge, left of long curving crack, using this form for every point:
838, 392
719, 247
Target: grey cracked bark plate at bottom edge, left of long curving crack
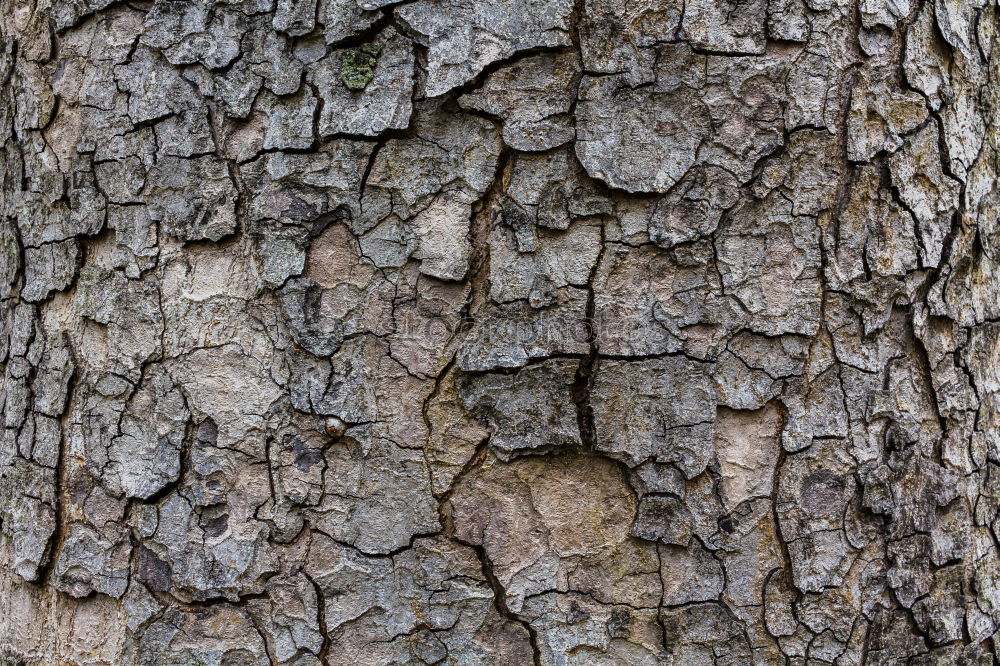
437, 606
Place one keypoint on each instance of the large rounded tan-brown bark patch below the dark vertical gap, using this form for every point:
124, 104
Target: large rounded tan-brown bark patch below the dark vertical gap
524, 515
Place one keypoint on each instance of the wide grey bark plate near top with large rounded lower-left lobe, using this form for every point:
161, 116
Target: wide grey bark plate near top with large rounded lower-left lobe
646, 138
